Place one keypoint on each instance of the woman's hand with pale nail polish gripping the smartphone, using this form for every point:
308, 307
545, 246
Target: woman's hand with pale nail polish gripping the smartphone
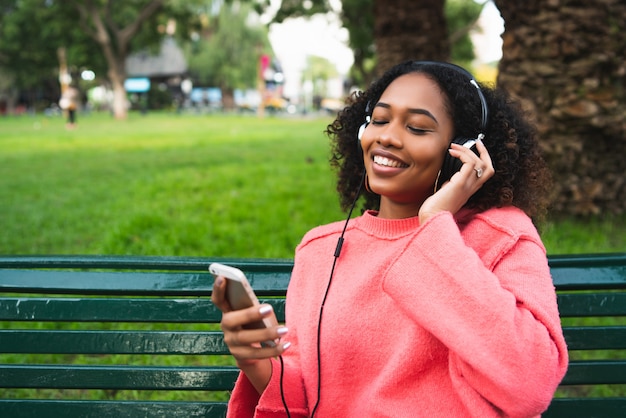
245, 344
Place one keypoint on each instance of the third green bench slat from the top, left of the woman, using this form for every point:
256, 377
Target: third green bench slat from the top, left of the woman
181, 310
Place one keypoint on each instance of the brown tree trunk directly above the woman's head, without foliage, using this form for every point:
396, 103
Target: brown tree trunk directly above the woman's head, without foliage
409, 29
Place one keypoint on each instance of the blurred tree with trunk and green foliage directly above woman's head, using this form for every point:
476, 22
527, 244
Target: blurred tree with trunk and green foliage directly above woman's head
383, 33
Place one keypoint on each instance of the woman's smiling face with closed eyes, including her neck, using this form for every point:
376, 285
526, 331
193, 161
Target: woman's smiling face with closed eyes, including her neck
405, 143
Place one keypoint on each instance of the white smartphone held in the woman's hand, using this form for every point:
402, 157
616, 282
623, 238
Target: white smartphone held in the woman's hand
240, 295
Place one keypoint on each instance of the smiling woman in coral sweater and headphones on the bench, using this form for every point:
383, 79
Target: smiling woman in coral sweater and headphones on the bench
439, 303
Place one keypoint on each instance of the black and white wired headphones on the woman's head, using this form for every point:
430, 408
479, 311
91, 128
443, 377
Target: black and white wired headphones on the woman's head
450, 164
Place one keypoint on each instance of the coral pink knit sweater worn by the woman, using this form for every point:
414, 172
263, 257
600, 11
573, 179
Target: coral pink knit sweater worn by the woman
453, 318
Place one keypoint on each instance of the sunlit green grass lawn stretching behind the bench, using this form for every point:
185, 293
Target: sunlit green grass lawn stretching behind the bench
191, 185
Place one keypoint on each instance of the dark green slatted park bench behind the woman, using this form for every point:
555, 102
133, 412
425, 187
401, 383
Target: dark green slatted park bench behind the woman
152, 321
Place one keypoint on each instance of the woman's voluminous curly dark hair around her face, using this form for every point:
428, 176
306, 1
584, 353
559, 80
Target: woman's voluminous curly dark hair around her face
522, 178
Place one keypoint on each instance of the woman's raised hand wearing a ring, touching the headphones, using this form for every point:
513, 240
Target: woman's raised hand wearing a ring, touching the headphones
476, 170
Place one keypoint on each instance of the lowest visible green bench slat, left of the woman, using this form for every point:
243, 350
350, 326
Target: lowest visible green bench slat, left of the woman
16, 408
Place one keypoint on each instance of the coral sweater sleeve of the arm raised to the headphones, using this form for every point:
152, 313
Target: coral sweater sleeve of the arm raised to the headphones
499, 321
